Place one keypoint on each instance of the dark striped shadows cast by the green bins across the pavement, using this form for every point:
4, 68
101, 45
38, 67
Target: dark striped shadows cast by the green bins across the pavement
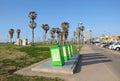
89, 59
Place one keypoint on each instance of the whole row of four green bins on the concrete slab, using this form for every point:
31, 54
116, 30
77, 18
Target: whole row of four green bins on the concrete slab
61, 54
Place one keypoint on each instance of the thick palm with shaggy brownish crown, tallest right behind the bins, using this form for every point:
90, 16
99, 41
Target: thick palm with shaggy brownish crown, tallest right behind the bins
65, 26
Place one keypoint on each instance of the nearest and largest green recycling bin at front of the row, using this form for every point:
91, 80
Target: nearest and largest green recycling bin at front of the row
56, 55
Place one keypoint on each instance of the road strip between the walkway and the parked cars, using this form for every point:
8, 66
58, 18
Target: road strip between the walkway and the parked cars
113, 57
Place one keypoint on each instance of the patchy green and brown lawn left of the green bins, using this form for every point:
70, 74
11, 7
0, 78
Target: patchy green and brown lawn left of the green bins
13, 58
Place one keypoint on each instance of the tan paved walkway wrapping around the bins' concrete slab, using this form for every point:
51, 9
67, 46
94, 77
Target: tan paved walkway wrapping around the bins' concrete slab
90, 68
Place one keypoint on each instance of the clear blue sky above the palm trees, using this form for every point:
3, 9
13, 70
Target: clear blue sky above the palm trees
100, 16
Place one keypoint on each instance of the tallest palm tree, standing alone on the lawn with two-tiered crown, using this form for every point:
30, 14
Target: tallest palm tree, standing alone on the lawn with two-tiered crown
32, 16
